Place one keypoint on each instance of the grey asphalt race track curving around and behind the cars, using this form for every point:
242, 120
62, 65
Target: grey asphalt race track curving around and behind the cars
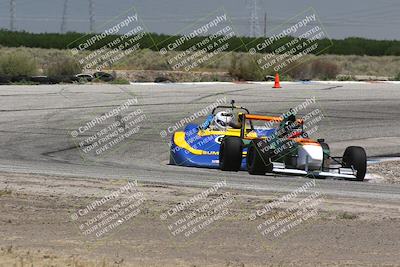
37, 121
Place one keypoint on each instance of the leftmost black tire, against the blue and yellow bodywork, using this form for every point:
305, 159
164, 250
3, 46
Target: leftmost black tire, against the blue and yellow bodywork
230, 153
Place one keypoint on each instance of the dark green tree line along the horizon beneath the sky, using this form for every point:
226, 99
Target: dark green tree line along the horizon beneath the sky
348, 46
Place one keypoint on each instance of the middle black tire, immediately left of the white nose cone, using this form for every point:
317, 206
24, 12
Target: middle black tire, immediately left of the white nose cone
258, 158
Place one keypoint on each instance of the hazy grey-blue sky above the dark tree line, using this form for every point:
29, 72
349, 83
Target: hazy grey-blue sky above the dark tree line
377, 19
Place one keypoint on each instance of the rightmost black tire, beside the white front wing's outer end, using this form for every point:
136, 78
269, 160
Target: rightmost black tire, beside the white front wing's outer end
355, 157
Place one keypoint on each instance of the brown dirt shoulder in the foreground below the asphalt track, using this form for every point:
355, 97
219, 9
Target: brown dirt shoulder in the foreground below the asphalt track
45, 221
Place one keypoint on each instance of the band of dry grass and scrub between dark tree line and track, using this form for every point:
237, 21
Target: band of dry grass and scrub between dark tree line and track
240, 66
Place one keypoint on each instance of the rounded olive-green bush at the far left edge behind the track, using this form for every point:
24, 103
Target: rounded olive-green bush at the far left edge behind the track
17, 63
